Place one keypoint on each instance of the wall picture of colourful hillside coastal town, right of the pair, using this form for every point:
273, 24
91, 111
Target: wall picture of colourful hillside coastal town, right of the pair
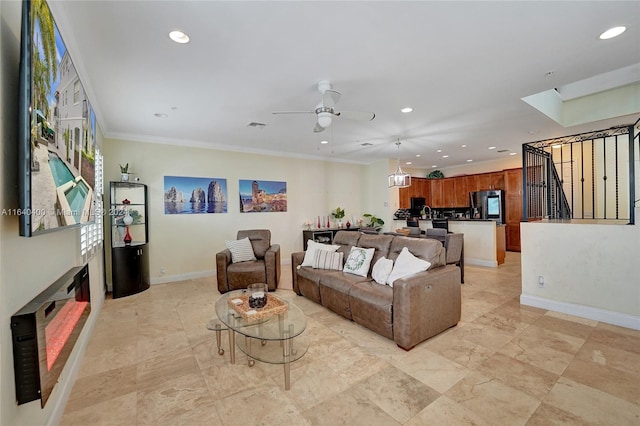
259, 196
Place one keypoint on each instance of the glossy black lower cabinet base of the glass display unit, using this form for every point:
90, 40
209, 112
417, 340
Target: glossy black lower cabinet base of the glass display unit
130, 269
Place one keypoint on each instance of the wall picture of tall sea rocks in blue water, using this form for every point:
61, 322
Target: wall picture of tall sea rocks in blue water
189, 195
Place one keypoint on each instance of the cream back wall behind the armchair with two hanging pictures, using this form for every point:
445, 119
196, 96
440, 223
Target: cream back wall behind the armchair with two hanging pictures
185, 245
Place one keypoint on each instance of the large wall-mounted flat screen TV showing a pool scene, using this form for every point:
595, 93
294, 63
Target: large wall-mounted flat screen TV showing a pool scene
57, 130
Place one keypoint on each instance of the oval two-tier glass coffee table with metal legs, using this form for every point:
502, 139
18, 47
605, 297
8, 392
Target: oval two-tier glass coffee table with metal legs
270, 334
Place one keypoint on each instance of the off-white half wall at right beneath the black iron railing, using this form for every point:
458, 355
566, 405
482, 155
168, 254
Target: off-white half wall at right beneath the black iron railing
589, 270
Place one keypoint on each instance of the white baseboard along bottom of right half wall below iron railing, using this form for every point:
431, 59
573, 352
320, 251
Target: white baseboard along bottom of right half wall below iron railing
596, 314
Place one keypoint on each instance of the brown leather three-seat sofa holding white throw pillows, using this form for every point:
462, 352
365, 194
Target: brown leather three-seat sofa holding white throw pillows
416, 308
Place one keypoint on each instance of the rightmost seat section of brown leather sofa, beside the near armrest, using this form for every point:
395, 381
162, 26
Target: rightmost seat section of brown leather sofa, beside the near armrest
371, 306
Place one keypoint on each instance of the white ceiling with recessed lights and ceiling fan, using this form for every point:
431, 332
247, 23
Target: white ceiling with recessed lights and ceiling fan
462, 66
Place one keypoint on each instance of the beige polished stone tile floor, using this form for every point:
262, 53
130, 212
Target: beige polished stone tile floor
151, 361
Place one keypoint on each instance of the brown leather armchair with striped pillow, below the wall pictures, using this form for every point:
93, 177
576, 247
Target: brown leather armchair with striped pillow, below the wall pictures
265, 269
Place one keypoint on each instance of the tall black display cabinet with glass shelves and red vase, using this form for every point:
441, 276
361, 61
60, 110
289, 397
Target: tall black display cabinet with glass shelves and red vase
129, 238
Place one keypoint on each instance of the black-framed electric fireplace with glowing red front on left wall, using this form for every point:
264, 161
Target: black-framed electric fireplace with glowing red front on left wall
44, 333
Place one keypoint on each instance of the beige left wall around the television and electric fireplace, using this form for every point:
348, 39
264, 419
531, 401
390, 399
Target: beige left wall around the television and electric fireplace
29, 265
